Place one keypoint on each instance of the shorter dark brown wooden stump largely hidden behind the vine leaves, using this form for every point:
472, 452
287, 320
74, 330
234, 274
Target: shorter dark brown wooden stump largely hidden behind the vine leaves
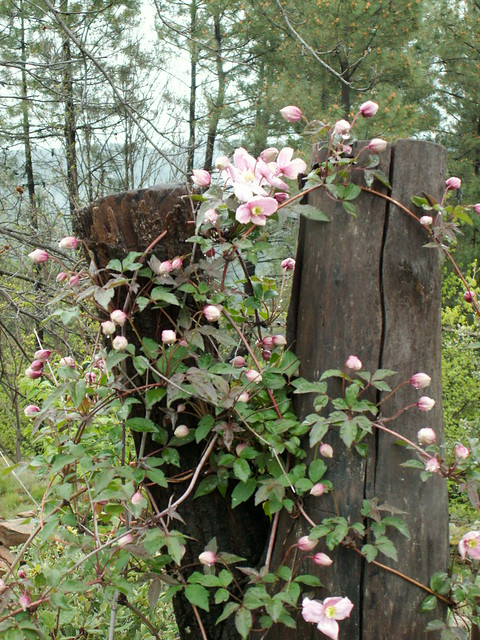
112, 227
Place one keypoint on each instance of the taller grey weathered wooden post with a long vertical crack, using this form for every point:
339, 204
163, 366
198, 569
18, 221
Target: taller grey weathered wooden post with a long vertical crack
368, 287
